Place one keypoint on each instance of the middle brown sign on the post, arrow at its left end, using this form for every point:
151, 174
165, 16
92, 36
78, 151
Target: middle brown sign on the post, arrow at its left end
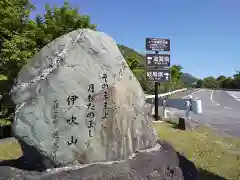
158, 60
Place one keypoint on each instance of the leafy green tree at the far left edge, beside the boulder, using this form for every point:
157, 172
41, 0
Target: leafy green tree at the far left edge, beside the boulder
15, 36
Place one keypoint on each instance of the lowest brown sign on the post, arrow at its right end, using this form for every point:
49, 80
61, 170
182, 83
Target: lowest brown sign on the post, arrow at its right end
158, 75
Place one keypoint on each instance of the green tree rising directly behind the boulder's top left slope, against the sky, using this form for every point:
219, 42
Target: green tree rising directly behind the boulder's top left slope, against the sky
58, 21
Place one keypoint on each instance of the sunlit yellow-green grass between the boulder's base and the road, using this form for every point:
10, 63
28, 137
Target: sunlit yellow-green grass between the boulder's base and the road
217, 155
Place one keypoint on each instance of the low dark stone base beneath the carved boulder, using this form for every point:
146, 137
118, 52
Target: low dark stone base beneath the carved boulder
161, 162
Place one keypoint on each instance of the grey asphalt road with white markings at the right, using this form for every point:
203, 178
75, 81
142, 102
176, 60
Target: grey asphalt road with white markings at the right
220, 109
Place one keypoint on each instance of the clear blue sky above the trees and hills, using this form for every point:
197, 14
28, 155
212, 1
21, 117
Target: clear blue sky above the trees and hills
205, 34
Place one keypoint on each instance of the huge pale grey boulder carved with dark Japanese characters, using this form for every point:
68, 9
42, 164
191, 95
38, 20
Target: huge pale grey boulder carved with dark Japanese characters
60, 114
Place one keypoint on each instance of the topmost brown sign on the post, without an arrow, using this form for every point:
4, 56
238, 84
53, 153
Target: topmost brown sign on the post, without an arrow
157, 44
